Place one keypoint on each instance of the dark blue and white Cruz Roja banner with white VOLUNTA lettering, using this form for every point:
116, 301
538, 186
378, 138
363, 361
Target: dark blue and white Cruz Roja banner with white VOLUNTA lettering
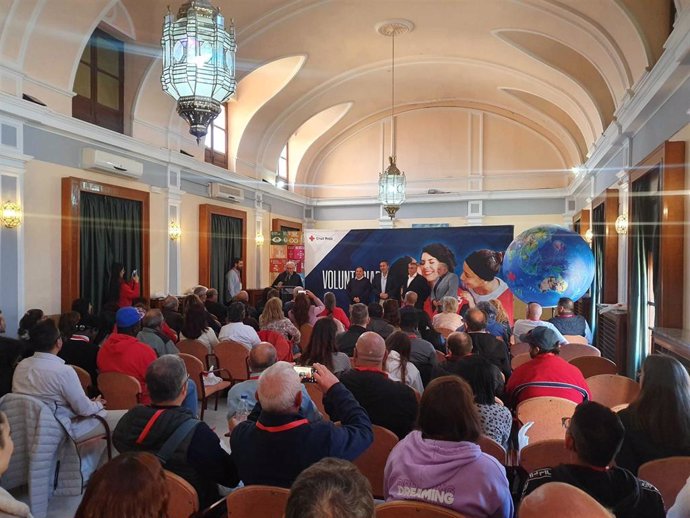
331, 256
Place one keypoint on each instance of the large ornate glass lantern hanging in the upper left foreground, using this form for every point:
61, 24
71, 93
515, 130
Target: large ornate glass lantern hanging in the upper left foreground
198, 63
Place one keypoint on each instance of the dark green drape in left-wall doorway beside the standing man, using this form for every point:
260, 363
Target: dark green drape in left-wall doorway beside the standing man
226, 244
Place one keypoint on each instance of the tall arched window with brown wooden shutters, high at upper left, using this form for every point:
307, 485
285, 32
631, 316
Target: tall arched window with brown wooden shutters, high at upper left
99, 83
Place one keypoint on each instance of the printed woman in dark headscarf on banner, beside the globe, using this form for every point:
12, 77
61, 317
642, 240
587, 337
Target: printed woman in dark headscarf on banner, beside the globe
479, 278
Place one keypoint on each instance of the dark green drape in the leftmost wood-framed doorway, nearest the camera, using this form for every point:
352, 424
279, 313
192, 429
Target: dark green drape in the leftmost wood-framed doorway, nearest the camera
110, 230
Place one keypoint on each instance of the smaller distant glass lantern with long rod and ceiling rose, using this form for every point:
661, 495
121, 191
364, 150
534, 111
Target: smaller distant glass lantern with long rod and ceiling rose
392, 179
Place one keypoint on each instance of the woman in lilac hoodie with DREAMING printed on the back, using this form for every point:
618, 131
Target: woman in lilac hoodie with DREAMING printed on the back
441, 463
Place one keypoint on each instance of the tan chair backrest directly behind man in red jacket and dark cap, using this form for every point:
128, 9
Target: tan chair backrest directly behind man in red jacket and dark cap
546, 413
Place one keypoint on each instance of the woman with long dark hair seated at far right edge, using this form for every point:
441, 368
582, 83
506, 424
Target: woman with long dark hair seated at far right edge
657, 423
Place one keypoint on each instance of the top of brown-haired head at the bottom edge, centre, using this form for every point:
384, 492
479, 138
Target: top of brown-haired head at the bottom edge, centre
330, 488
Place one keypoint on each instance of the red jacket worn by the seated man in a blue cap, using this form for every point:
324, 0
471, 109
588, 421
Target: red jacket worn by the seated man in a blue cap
126, 354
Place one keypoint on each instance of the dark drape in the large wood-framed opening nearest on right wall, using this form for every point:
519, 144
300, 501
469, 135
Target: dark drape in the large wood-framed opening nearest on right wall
644, 246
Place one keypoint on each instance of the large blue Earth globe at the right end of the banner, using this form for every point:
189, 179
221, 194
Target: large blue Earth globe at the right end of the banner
546, 263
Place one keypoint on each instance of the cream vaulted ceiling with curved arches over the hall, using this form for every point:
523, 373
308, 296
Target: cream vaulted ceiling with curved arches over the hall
559, 67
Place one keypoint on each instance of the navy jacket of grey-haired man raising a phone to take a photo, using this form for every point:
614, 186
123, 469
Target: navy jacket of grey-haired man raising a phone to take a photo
275, 458
